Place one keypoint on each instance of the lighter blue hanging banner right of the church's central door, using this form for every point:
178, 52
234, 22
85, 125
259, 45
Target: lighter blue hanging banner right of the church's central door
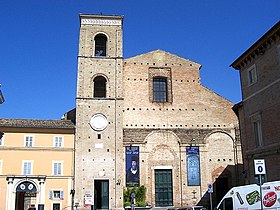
193, 166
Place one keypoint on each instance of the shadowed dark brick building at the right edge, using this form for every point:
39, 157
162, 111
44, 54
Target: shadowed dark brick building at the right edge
260, 101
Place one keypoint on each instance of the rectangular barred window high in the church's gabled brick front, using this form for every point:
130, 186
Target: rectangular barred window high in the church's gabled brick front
160, 89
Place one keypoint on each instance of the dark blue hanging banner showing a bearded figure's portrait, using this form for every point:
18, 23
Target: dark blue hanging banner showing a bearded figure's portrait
132, 165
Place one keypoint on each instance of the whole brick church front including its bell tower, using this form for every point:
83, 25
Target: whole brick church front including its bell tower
148, 121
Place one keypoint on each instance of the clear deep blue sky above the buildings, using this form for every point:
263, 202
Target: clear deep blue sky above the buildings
39, 44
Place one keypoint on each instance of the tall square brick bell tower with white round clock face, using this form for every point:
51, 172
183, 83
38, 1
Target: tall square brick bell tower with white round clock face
99, 156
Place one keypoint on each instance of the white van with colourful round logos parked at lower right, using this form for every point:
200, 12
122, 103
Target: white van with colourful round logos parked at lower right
247, 197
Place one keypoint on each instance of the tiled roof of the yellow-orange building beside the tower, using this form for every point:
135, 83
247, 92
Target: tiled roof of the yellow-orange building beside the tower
30, 123
